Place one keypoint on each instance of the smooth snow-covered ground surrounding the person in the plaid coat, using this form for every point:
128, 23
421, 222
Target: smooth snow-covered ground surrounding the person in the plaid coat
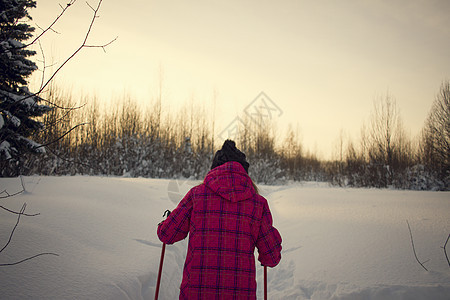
337, 243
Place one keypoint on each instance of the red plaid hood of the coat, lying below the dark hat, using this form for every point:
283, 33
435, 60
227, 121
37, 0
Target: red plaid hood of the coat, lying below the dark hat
231, 182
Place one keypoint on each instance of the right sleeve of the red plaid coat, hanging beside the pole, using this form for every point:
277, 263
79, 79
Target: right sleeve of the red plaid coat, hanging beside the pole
268, 241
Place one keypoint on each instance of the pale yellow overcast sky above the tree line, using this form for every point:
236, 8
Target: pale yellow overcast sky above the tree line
320, 64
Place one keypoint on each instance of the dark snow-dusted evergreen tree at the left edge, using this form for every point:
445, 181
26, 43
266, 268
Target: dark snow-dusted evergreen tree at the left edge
19, 108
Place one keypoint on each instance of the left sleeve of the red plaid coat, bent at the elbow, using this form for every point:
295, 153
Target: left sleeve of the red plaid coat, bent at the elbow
176, 226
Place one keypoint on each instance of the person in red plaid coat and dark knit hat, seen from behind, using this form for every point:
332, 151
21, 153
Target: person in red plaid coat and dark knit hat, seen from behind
226, 219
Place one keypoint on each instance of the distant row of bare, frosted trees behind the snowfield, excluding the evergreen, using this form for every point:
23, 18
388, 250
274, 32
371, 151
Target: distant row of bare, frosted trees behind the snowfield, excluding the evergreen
126, 140
